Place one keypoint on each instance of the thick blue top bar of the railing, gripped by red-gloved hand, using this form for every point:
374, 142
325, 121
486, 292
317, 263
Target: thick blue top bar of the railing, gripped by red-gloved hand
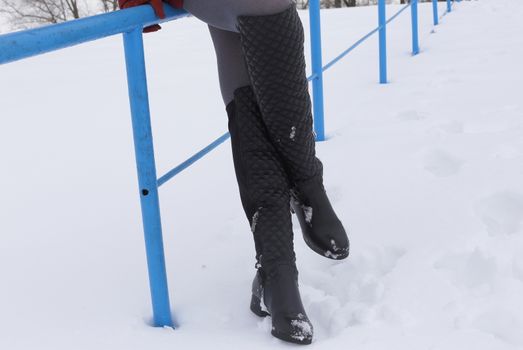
18, 45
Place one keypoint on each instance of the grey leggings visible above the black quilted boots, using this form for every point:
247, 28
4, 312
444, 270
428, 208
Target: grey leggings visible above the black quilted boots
221, 16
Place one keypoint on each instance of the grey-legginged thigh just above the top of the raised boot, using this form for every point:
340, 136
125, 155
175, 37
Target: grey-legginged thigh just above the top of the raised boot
224, 14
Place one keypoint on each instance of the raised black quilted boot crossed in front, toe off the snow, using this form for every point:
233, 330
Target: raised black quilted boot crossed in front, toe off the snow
273, 48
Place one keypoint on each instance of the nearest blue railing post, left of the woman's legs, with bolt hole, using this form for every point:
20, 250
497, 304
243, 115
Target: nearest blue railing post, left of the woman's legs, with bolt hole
144, 151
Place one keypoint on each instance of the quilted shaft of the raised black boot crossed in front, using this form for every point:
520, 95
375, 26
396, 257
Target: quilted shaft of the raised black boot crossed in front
273, 49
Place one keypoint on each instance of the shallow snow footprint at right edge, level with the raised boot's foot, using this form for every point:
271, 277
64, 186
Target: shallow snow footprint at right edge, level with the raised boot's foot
501, 213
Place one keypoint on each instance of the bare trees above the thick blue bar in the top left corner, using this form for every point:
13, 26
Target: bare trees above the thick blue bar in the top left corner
28, 13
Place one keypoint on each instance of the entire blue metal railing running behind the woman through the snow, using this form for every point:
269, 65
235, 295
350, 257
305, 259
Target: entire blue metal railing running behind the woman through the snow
20, 45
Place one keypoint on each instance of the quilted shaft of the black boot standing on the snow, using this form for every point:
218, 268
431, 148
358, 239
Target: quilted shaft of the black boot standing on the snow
262, 180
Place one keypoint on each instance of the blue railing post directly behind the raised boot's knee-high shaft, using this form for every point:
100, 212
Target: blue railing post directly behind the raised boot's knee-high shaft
317, 69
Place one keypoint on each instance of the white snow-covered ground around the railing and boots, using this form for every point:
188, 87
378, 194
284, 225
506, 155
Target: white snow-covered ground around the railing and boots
425, 172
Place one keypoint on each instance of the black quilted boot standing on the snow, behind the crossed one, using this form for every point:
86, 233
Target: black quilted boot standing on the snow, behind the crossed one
264, 192
